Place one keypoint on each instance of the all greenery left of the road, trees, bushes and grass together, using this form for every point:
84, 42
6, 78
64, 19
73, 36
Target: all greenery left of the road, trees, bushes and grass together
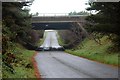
16, 31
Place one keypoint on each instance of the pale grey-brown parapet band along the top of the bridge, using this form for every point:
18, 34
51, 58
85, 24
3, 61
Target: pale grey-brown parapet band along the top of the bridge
53, 19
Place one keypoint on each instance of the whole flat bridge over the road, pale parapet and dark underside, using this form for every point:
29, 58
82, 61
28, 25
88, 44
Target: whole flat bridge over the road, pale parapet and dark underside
56, 22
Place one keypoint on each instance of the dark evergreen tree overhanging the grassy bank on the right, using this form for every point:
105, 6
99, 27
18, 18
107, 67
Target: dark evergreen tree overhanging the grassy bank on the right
106, 20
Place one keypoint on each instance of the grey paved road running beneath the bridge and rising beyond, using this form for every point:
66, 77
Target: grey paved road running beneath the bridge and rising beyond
58, 64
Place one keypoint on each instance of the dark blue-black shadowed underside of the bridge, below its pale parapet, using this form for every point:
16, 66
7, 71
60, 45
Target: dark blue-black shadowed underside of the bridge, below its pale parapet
53, 26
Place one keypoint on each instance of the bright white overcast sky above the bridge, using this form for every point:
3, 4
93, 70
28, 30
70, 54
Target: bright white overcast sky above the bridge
58, 6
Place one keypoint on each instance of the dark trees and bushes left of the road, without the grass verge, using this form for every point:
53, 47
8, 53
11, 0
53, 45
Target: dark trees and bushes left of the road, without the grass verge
16, 28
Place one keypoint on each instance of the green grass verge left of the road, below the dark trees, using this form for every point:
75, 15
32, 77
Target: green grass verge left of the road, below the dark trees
23, 66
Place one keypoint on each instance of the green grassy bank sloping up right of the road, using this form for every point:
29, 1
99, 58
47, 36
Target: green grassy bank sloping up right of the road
91, 50
